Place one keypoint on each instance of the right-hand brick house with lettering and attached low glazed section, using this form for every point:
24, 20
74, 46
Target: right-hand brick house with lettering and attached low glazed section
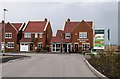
75, 36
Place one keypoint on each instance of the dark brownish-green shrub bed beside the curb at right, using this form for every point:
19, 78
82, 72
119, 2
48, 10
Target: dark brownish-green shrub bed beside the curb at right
107, 64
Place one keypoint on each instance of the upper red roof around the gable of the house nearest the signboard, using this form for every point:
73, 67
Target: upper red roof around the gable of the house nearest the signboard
69, 26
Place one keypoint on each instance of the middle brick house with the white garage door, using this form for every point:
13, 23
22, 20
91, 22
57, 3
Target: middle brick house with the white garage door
36, 35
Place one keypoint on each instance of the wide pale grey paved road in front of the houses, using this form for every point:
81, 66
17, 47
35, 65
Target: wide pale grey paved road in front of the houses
48, 65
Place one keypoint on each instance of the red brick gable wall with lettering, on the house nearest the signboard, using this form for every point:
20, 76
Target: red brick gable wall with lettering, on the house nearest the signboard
82, 27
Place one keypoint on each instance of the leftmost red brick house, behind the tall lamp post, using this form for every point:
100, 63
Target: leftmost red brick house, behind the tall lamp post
11, 35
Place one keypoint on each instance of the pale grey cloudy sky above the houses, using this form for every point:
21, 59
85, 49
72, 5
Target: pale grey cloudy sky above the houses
104, 13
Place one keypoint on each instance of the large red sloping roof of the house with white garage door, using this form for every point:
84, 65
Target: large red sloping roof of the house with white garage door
35, 26
